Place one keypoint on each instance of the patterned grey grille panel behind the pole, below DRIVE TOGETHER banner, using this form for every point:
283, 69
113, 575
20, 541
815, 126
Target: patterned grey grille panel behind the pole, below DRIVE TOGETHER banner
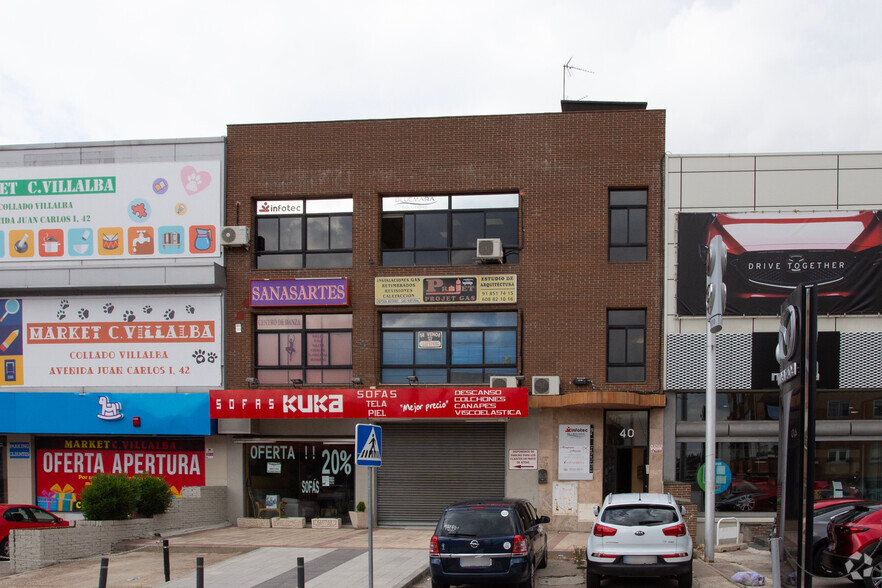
686, 361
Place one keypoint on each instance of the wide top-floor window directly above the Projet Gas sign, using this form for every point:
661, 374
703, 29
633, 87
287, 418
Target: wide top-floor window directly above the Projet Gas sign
444, 229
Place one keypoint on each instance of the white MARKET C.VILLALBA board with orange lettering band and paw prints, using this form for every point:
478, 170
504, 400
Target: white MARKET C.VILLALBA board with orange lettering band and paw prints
116, 340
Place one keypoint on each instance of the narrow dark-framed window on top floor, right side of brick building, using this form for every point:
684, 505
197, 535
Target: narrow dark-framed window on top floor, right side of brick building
627, 225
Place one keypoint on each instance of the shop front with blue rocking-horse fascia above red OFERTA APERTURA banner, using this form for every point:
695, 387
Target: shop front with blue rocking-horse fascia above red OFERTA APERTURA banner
56, 453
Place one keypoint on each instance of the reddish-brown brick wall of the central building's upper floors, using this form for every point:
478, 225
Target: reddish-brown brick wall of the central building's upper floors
561, 164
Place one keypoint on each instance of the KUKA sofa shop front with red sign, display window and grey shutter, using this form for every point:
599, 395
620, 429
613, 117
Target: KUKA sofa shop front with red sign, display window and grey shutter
439, 445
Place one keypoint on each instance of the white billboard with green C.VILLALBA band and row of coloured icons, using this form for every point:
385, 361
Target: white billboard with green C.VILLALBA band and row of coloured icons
110, 212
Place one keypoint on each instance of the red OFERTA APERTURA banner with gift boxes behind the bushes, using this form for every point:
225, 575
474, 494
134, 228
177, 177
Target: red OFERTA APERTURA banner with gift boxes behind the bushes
65, 465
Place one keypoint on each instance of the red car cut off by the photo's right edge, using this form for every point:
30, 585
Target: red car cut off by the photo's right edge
855, 545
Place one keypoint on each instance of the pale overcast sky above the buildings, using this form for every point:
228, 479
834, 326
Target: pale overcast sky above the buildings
733, 75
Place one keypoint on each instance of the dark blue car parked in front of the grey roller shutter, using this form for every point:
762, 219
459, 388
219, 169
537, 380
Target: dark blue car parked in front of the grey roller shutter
488, 541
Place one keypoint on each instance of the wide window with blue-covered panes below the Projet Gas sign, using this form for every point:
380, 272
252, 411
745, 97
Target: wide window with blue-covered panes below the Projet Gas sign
456, 347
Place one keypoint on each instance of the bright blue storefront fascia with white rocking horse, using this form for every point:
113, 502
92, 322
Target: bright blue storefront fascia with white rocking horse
104, 413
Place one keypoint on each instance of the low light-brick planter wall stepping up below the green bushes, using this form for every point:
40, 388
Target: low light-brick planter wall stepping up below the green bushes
36, 548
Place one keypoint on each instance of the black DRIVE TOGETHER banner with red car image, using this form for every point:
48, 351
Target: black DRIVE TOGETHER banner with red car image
769, 254
